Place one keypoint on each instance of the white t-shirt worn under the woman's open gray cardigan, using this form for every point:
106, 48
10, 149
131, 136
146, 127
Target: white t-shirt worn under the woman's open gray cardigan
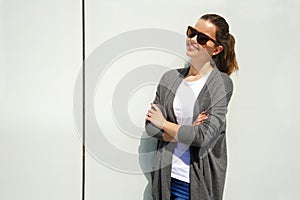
183, 105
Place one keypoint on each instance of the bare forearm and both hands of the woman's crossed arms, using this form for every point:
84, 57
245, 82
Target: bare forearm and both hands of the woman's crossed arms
170, 130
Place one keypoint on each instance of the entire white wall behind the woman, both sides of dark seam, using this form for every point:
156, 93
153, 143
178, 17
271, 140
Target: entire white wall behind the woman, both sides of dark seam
40, 61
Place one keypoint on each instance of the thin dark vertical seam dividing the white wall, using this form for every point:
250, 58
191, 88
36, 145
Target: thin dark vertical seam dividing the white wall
83, 100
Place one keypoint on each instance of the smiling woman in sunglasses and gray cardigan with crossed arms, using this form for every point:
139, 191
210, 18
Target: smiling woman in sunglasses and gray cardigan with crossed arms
188, 116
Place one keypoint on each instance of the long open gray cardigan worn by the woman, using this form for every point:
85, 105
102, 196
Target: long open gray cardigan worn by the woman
207, 141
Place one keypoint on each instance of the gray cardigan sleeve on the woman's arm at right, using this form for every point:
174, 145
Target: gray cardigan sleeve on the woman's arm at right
201, 135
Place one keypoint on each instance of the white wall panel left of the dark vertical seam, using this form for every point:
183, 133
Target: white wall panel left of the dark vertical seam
40, 57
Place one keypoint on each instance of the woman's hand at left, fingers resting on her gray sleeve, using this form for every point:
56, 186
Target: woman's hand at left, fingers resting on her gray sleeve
155, 116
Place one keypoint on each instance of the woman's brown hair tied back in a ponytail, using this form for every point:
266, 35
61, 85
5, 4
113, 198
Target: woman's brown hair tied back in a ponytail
226, 59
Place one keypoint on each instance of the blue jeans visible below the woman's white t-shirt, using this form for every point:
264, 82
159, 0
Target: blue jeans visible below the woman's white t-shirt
179, 190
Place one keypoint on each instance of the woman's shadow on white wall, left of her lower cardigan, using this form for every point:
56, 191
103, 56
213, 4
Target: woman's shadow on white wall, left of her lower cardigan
147, 154
